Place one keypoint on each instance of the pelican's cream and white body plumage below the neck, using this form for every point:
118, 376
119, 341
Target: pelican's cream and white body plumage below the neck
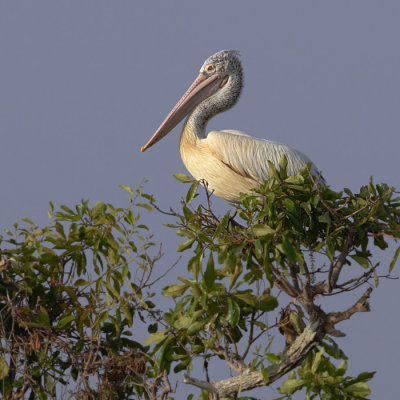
233, 162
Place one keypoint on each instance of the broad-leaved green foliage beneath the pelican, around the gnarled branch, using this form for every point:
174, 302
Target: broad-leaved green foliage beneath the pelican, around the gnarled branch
236, 271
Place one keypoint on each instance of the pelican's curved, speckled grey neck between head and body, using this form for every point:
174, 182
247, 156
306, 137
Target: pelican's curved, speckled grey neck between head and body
195, 124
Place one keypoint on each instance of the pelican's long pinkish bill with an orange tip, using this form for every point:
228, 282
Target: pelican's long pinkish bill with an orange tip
203, 87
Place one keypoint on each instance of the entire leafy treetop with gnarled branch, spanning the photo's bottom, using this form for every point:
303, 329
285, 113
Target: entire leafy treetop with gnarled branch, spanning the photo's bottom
74, 294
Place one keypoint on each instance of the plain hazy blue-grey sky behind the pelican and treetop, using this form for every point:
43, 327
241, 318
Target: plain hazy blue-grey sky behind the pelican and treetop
83, 85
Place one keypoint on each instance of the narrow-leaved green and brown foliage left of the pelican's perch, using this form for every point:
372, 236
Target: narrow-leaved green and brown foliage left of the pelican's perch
68, 301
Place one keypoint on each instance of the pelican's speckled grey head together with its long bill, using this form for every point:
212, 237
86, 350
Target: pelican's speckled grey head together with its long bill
215, 73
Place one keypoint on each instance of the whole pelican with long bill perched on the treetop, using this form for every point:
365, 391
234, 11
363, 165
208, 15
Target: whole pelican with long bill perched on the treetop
230, 161
